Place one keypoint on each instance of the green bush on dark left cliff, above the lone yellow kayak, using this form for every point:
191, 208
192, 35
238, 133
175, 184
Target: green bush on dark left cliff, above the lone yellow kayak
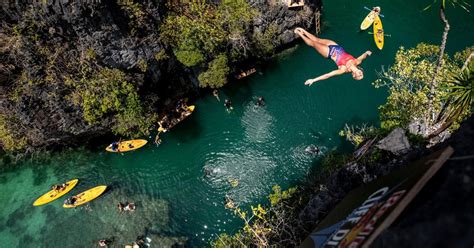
105, 92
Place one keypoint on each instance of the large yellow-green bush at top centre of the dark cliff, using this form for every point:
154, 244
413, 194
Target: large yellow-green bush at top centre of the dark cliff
199, 32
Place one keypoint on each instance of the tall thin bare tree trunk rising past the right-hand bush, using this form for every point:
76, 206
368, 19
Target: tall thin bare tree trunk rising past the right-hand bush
438, 67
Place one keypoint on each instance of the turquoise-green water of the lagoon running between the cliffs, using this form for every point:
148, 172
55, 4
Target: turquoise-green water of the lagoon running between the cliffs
259, 146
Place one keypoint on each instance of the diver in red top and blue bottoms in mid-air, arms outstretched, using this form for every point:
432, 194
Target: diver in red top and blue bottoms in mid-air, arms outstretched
331, 50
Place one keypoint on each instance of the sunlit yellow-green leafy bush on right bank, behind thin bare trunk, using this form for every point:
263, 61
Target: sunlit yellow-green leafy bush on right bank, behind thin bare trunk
408, 82
